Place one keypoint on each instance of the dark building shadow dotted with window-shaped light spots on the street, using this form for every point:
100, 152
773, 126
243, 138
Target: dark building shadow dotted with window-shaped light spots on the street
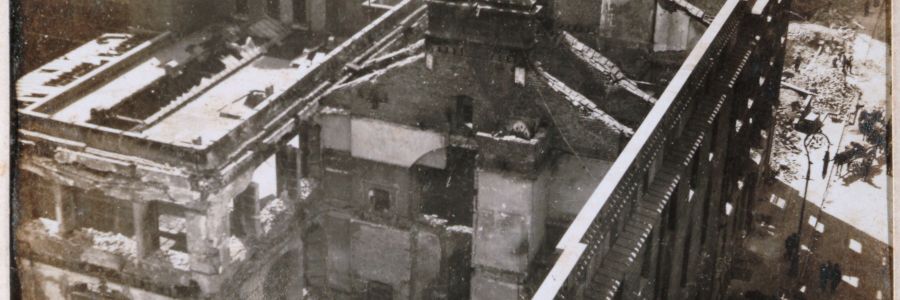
865, 261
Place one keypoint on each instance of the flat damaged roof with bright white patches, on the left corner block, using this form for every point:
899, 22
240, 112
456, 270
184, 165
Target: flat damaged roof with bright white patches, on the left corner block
133, 94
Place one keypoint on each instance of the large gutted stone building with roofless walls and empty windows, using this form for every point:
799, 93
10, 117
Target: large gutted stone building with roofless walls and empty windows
439, 149
